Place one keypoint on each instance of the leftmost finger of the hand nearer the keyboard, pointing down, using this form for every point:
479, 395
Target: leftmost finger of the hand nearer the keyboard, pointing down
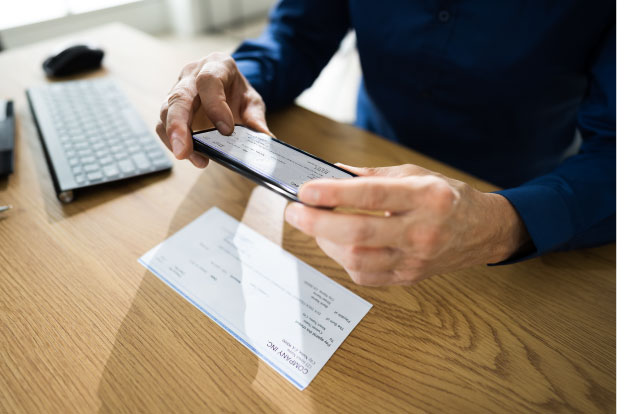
179, 114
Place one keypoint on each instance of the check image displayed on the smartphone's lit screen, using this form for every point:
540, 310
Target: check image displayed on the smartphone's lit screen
264, 155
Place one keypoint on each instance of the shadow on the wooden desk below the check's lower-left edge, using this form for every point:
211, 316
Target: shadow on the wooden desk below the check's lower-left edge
184, 372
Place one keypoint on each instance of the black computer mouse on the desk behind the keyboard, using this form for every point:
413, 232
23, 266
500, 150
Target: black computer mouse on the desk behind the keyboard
72, 60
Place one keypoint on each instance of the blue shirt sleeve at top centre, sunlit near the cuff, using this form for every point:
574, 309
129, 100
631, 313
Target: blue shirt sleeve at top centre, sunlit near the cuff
301, 37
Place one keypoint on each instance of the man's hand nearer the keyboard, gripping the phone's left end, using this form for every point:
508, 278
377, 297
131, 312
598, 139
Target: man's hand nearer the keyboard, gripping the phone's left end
225, 95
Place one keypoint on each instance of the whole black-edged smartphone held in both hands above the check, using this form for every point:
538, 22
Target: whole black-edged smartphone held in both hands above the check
274, 164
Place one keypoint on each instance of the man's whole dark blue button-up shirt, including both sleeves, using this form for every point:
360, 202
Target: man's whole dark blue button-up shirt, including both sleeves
497, 88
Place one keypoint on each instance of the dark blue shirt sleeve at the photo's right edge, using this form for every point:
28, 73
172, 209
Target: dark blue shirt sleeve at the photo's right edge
575, 205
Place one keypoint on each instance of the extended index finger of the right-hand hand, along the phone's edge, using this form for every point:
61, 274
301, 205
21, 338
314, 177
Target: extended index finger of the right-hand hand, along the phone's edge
367, 193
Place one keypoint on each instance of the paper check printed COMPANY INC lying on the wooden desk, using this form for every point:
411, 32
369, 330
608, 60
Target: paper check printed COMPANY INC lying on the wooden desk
289, 314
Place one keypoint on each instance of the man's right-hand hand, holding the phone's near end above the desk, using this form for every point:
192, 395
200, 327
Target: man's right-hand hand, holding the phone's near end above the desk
433, 224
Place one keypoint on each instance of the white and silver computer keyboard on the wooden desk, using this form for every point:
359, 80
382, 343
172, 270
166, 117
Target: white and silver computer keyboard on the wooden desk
92, 135
